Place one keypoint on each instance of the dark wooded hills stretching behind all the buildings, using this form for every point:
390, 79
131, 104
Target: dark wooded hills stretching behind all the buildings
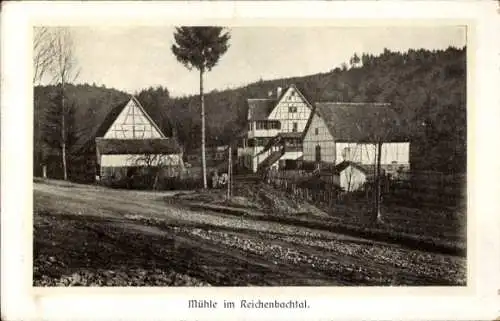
427, 88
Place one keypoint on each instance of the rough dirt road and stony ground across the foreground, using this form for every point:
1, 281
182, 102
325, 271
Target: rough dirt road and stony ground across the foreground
101, 236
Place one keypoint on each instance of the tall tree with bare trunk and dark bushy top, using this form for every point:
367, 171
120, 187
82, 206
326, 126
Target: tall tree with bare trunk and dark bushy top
200, 48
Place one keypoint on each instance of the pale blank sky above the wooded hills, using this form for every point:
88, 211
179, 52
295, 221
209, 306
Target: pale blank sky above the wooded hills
134, 58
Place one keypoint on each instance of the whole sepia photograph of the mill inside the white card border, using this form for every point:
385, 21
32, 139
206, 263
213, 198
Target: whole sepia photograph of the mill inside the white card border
168, 156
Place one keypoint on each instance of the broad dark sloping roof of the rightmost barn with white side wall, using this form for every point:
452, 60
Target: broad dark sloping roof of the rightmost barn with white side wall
360, 122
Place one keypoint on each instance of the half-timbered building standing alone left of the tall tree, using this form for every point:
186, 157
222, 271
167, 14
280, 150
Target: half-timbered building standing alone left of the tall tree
129, 139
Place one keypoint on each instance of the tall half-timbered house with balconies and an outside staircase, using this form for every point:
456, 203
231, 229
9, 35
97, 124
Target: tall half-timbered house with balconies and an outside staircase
279, 119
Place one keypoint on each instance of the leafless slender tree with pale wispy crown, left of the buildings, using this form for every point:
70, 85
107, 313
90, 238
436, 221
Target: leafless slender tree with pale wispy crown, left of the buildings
64, 70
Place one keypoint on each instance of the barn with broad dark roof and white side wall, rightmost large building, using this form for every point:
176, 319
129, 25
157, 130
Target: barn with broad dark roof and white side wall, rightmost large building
347, 133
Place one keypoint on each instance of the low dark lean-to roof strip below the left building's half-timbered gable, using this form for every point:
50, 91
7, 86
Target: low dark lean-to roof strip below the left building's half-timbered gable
137, 146
